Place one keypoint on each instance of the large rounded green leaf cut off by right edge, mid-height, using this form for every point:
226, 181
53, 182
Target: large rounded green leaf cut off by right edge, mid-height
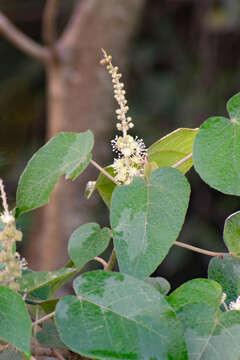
216, 152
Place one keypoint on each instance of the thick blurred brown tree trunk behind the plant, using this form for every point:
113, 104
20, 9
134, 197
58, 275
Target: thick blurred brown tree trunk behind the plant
80, 97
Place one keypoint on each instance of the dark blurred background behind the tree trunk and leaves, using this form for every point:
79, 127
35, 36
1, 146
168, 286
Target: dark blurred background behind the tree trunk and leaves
183, 67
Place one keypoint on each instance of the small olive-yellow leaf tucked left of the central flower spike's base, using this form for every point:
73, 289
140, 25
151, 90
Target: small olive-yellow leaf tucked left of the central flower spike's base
105, 186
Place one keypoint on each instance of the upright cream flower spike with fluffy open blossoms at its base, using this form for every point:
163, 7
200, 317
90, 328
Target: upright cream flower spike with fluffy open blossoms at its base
131, 151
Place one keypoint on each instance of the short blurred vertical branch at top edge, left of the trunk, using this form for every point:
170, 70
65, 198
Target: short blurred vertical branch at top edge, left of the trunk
49, 33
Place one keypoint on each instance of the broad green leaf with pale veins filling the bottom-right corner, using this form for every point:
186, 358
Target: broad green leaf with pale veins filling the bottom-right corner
210, 335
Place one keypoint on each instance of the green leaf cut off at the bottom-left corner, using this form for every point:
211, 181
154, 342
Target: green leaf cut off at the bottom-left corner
15, 322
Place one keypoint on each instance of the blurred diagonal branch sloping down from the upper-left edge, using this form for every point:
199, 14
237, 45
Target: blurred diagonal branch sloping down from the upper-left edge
22, 41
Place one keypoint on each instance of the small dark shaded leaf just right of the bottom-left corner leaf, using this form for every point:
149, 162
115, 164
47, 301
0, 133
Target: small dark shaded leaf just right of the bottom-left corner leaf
49, 336
